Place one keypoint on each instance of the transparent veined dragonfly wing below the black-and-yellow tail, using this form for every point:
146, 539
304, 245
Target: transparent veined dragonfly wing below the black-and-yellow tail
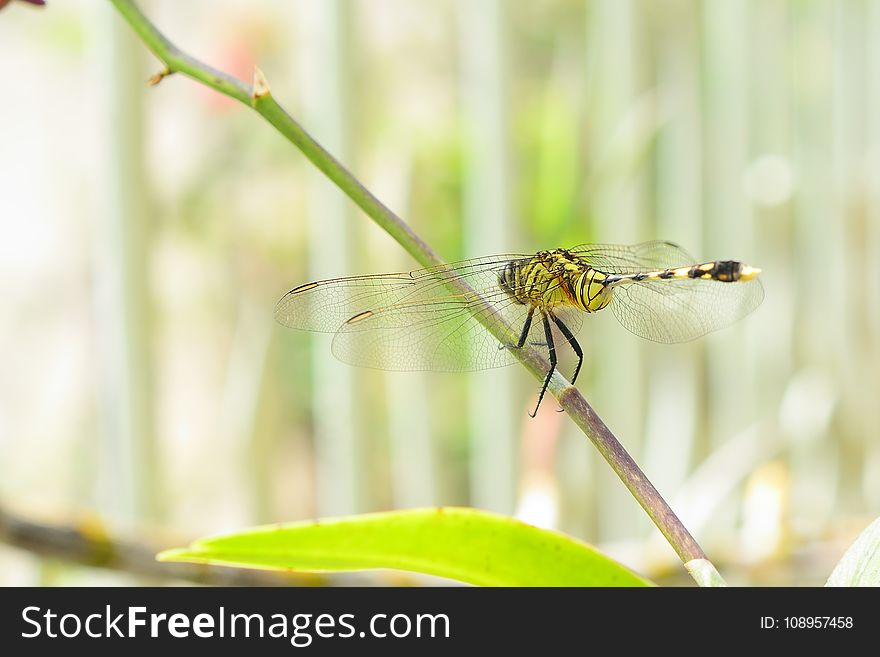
679, 310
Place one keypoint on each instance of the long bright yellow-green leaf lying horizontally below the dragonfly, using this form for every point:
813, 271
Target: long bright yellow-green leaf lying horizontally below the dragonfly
464, 544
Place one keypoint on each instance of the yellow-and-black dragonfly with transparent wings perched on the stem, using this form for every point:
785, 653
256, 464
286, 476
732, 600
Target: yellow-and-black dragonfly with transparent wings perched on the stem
475, 314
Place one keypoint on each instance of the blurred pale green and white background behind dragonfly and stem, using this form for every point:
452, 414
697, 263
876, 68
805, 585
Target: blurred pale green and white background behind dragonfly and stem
148, 232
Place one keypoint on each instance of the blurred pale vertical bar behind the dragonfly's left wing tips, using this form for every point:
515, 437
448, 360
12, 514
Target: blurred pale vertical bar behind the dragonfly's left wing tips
326, 82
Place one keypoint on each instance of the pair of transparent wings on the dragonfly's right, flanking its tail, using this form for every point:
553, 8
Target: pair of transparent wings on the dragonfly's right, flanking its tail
672, 310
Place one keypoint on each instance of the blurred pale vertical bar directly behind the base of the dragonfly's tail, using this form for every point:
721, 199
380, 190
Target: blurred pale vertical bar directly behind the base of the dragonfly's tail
615, 123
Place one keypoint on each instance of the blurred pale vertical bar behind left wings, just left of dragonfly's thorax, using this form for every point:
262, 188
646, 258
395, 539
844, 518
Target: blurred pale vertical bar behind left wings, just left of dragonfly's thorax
487, 221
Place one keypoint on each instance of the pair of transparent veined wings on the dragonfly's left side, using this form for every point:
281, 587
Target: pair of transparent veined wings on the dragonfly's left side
428, 319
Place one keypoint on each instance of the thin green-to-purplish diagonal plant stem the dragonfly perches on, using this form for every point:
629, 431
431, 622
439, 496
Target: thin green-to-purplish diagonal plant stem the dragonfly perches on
570, 399
